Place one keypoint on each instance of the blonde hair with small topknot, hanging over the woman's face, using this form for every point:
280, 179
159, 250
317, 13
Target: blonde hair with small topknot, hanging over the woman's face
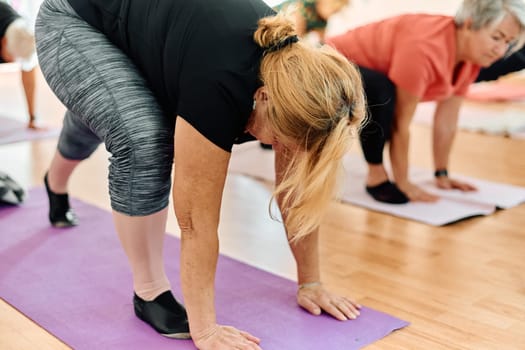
317, 103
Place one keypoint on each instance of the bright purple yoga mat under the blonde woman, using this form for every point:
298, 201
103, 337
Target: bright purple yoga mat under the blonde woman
76, 284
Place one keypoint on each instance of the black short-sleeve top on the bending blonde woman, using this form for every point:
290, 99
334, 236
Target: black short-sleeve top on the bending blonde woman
198, 56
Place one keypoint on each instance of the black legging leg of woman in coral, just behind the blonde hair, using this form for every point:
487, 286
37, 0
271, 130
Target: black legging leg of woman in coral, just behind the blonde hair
381, 98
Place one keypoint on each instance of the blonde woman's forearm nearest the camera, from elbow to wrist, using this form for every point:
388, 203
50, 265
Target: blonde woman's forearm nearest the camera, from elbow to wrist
199, 252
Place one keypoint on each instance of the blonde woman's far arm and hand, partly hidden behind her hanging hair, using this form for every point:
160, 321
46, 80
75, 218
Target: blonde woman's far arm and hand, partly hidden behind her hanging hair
311, 294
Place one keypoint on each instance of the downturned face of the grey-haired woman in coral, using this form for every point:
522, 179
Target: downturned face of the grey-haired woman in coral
489, 44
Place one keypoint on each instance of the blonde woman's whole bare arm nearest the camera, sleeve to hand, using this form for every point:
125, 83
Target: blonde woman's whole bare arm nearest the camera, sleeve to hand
200, 173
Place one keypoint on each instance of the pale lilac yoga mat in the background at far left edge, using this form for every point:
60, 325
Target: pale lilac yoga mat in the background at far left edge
12, 130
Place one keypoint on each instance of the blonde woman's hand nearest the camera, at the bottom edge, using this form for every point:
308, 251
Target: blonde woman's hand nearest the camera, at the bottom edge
225, 338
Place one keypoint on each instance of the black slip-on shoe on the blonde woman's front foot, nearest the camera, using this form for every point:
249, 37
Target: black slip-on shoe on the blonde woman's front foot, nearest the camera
164, 314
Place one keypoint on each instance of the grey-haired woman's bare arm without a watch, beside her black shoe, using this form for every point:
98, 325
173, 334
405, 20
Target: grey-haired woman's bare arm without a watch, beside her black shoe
406, 104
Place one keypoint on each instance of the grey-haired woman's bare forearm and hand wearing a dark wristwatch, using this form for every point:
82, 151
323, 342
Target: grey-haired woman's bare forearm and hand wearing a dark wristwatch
444, 132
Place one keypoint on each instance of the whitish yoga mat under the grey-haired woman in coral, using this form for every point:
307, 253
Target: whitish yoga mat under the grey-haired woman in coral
250, 159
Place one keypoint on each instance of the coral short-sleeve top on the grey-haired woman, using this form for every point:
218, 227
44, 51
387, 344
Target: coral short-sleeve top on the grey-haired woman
416, 51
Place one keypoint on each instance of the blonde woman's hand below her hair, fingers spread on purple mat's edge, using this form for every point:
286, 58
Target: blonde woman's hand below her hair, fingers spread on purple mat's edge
316, 298
